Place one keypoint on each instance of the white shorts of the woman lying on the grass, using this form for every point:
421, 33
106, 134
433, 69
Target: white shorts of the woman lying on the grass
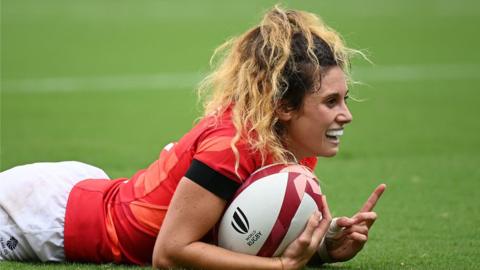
33, 199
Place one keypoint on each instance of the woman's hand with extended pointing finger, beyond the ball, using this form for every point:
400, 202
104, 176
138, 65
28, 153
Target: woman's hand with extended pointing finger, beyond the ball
352, 233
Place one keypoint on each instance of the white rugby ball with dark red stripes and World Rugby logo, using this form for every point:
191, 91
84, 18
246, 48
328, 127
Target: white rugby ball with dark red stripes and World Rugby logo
270, 210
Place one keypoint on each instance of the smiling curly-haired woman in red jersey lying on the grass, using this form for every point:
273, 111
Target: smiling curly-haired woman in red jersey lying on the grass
278, 95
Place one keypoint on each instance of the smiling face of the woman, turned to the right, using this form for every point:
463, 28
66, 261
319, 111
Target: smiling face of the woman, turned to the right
315, 129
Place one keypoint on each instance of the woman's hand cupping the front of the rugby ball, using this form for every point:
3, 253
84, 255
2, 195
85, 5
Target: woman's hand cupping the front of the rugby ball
299, 252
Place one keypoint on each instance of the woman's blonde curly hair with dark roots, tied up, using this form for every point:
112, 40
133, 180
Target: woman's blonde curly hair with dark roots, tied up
269, 67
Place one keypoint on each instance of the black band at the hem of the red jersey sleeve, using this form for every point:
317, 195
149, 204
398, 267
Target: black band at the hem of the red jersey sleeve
212, 180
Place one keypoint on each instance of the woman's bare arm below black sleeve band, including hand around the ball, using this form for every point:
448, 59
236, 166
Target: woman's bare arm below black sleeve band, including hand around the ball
193, 212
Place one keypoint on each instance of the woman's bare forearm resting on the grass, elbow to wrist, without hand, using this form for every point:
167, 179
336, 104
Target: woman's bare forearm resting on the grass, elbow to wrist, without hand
200, 255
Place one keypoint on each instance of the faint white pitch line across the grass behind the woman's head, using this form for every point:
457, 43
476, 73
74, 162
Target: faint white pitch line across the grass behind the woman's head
188, 80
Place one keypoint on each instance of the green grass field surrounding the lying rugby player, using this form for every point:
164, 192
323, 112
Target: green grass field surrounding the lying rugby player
111, 82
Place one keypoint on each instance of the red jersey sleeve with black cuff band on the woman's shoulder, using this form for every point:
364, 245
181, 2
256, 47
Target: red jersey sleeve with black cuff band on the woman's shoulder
213, 164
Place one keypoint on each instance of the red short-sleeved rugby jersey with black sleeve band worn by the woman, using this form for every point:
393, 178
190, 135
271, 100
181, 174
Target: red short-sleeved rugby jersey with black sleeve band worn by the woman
118, 220
